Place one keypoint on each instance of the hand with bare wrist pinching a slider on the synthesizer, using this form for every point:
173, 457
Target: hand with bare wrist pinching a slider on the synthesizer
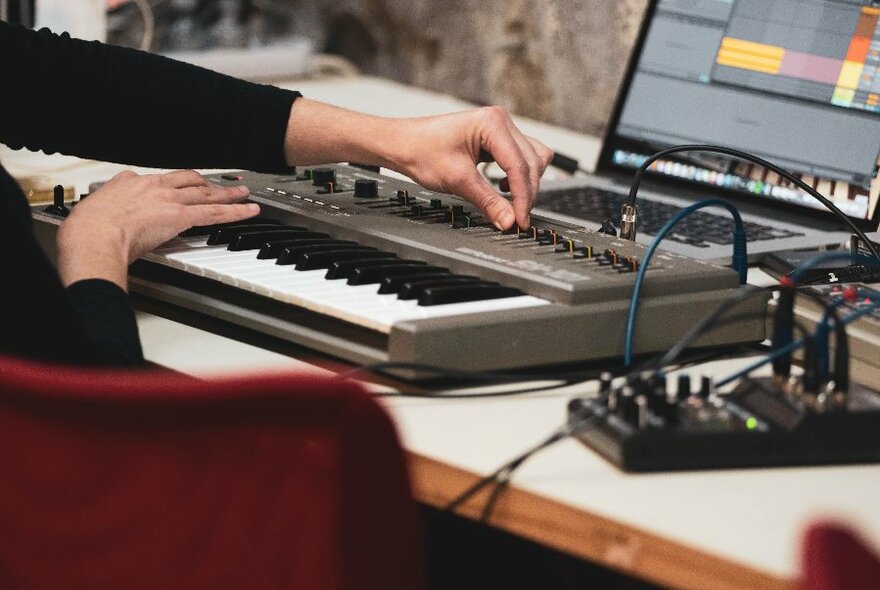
440, 152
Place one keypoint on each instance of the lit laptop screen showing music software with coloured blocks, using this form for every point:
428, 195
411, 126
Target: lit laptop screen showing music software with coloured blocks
793, 81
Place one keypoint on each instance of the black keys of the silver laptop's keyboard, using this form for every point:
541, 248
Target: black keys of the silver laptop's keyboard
700, 229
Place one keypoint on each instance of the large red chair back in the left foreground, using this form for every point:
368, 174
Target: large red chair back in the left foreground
112, 479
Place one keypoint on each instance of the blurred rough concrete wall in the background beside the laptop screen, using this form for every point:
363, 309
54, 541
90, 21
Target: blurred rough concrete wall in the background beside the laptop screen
554, 60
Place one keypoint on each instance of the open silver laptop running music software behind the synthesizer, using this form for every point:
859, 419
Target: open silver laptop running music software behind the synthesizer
795, 82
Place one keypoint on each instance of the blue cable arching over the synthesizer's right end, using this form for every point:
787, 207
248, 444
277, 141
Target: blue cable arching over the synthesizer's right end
739, 262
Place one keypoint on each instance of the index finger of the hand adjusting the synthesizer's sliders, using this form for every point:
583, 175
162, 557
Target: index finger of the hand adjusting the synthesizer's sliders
498, 141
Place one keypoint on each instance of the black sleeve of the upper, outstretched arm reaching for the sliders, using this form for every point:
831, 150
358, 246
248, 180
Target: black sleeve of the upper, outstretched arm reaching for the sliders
122, 105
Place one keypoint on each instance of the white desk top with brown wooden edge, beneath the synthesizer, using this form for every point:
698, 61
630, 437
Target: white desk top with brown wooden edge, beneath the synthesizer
726, 529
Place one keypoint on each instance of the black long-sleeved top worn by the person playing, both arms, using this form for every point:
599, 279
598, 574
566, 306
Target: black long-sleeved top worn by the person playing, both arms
120, 105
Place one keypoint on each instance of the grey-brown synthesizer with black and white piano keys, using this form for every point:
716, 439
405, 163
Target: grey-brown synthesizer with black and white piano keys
369, 268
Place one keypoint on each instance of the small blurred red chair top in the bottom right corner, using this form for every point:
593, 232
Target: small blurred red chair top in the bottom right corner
835, 558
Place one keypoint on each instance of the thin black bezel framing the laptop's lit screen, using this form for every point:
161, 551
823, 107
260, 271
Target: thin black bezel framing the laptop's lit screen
605, 164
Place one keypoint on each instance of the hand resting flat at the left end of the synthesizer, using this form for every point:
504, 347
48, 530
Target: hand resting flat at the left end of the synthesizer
132, 214
